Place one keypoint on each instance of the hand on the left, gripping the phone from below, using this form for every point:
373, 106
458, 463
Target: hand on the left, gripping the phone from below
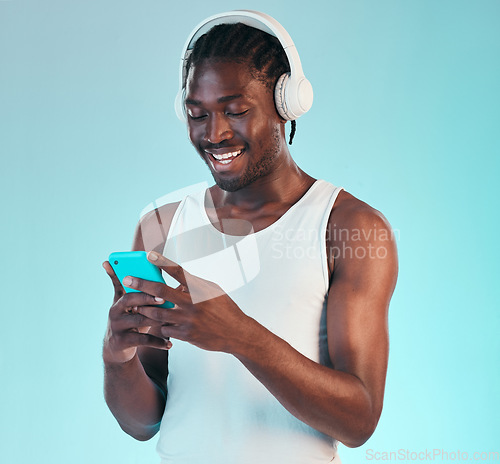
127, 328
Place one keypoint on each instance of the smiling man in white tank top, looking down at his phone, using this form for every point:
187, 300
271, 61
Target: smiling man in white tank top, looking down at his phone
273, 366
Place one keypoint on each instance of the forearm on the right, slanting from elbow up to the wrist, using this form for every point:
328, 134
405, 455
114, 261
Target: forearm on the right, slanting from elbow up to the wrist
333, 402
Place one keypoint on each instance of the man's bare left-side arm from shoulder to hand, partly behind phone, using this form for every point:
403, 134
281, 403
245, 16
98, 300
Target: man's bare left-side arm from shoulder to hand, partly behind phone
135, 377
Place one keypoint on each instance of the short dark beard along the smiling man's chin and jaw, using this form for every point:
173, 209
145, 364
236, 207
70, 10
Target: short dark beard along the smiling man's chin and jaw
255, 169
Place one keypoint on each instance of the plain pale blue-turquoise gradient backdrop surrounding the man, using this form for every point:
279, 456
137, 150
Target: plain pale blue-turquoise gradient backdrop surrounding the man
406, 117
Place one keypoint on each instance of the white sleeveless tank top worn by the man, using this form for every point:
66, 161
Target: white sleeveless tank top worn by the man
217, 412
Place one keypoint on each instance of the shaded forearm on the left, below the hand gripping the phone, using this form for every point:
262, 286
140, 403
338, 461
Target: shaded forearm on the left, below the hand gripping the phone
134, 399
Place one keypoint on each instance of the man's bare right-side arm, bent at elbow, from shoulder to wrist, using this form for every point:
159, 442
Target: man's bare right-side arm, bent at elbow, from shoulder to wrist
344, 402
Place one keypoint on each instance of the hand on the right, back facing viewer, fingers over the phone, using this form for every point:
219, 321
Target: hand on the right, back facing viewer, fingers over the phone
203, 315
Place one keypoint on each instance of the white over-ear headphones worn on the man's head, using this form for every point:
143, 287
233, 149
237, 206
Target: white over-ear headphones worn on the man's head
293, 94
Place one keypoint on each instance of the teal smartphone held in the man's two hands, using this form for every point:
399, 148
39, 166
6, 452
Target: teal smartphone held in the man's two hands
136, 264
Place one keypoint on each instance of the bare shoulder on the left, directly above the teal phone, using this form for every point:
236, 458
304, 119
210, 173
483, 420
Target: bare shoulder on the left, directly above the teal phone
152, 230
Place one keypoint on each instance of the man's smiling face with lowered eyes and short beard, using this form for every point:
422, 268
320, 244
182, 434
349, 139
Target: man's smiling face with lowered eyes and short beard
233, 123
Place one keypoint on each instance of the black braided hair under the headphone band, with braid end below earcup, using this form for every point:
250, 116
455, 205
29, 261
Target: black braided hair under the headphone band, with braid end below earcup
238, 42
